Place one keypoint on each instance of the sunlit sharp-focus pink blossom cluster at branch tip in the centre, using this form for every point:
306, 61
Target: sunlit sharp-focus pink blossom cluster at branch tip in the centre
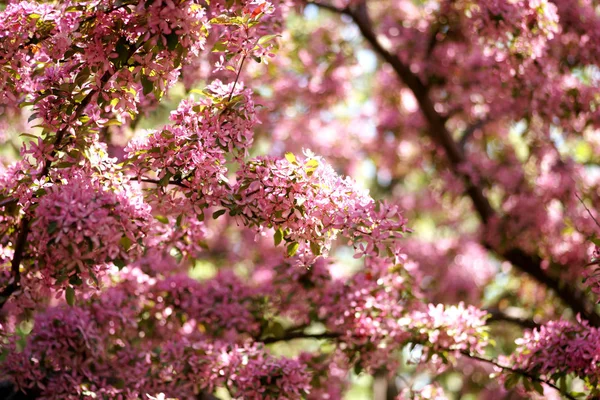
307, 202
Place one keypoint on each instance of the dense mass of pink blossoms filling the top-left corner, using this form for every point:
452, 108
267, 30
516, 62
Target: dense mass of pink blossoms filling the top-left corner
75, 50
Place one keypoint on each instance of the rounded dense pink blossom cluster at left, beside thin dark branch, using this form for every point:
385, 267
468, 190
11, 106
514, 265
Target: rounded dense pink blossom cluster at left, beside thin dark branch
83, 223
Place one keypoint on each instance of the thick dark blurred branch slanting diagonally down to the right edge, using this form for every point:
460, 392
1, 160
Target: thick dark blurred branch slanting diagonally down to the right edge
530, 264
